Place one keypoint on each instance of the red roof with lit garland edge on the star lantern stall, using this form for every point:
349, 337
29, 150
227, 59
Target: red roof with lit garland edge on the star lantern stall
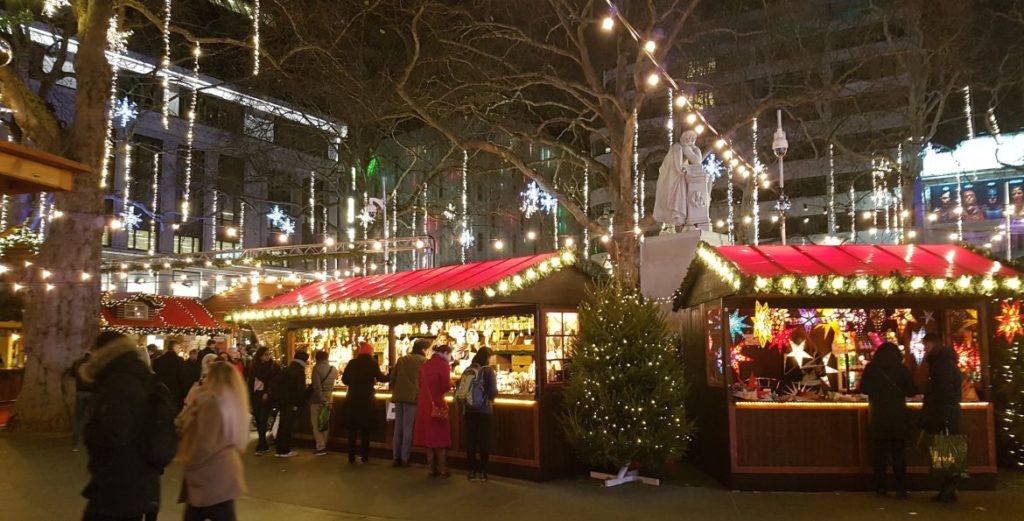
847, 270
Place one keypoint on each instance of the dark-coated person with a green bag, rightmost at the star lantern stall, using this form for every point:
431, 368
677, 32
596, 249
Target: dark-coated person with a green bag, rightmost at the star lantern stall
941, 413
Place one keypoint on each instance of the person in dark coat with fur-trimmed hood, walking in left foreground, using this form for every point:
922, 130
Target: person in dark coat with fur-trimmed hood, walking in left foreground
122, 485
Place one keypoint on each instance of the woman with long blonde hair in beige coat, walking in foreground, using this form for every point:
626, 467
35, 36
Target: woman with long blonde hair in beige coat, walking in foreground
215, 433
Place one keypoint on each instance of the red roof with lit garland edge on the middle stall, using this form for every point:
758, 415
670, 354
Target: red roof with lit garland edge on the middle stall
423, 290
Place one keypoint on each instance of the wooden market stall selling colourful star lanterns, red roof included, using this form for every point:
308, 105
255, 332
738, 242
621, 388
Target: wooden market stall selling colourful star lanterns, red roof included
777, 337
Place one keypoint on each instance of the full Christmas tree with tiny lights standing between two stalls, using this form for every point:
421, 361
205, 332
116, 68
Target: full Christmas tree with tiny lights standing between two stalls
625, 396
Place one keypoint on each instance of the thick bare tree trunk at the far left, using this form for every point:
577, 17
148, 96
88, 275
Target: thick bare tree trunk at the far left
61, 323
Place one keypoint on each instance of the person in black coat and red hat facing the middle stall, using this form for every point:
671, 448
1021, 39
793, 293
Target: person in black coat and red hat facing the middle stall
361, 375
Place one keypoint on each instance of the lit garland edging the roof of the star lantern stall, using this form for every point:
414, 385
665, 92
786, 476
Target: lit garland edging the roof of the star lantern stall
831, 285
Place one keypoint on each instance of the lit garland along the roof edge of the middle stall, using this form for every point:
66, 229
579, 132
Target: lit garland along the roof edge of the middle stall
429, 302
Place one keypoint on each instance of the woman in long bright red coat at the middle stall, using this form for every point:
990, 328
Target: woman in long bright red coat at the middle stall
435, 433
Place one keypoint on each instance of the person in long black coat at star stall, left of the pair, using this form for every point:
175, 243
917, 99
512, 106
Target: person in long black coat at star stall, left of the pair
887, 384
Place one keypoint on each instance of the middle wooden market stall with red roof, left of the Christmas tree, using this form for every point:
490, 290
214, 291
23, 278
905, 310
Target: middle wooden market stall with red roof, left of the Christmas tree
525, 309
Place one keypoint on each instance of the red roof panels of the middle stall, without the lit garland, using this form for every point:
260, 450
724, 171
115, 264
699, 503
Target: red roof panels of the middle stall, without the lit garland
461, 278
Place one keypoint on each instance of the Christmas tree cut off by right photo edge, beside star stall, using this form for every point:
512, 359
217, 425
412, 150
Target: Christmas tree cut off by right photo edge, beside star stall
1010, 403
